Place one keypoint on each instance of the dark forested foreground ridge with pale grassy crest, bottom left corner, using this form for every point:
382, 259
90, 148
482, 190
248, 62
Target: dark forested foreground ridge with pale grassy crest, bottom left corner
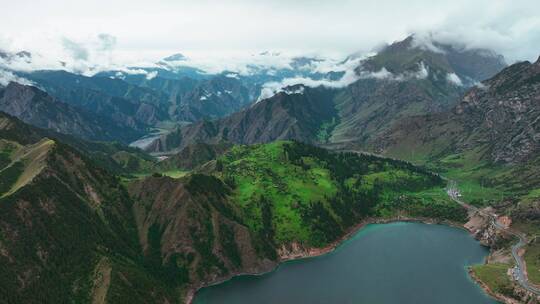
55, 245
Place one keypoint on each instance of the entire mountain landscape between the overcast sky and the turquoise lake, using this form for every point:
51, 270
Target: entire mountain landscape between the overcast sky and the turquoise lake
231, 183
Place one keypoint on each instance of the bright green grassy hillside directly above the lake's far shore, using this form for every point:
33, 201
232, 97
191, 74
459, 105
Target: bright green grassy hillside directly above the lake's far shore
304, 191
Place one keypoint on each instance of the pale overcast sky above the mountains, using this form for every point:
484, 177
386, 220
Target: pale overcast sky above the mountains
134, 30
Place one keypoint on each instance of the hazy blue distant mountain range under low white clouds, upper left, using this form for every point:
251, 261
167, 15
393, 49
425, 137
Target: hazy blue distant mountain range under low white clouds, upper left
125, 105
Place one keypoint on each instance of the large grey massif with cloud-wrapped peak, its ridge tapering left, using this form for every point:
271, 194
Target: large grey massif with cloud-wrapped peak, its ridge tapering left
402, 80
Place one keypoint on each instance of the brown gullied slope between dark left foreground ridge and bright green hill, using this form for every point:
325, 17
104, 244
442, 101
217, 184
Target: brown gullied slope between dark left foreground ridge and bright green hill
198, 231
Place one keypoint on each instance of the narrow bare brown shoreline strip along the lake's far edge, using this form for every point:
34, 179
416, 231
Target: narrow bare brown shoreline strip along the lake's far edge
316, 252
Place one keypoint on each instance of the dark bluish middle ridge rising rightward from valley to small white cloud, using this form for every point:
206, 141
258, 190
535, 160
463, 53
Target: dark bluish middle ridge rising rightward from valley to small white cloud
298, 113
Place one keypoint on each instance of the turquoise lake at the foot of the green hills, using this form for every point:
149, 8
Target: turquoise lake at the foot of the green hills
405, 263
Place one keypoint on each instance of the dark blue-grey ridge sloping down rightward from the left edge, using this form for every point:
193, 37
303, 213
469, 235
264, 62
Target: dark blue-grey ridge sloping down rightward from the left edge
37, 108
